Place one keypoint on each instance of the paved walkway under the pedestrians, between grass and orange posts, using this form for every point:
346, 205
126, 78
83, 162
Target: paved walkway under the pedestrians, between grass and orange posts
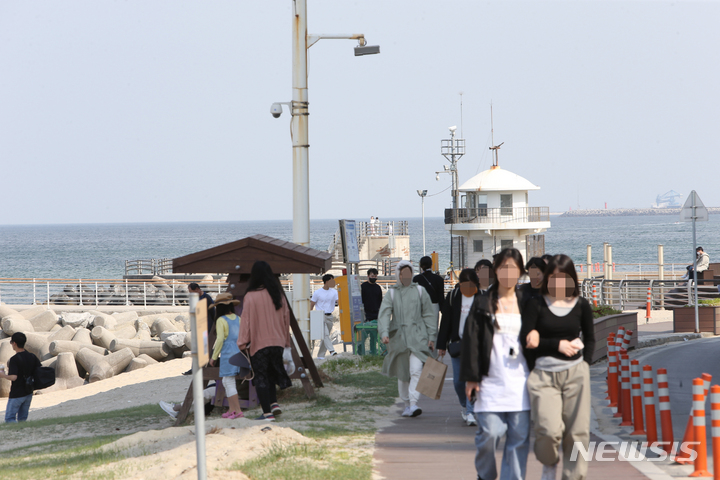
438, 445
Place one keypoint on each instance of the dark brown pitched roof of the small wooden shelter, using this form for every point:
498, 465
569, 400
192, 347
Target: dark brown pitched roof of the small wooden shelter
283, 257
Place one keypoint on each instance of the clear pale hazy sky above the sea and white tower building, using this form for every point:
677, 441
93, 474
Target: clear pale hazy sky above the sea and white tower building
159, 111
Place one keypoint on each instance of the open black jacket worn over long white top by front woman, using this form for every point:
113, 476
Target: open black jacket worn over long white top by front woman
477, 341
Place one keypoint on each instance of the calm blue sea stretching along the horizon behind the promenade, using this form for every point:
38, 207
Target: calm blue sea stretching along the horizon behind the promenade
99, 251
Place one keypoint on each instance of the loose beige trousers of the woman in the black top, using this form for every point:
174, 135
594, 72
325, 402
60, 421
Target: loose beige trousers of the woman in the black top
560, 403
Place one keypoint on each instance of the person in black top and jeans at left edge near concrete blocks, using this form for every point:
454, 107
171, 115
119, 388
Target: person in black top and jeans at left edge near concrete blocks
20, 366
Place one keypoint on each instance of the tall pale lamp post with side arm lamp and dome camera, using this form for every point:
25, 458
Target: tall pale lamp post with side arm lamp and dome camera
299, 135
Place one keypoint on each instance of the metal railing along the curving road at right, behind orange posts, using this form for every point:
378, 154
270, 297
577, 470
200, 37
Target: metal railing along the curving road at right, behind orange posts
630, 294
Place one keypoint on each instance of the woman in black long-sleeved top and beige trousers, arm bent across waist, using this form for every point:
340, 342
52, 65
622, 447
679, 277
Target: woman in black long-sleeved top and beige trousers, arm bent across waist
559, 384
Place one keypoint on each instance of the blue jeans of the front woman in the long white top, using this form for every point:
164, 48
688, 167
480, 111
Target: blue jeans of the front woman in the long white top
491, 427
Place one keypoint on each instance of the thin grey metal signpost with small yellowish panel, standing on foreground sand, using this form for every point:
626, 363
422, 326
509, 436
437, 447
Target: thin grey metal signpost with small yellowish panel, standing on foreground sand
198, 325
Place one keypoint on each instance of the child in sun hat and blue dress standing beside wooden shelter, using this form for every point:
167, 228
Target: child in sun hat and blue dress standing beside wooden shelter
227, 327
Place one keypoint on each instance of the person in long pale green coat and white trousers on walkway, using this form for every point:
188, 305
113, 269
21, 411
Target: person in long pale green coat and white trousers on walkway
407, 326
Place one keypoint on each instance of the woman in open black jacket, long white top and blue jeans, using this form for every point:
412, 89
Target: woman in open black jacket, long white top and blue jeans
495, 370
